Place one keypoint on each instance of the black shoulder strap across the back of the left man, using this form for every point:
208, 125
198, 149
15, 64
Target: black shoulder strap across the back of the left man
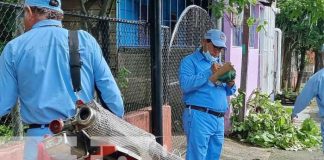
75, 62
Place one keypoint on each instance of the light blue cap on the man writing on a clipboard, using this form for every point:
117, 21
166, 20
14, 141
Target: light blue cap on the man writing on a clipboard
217, 37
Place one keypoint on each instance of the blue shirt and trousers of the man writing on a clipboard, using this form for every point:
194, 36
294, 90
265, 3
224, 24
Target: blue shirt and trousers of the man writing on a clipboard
204, 131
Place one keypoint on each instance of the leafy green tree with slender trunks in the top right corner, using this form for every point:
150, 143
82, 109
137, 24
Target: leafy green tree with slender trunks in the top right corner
302, 24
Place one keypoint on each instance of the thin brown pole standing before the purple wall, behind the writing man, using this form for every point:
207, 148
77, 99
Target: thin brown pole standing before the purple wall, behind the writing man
245, 57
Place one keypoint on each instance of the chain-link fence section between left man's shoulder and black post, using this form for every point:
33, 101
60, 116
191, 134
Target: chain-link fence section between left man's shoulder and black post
125, 46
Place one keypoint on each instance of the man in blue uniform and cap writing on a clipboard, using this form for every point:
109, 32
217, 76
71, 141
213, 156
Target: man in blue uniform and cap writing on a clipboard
205, 97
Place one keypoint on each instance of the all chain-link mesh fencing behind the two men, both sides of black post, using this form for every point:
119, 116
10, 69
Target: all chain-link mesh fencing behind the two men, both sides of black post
126, 47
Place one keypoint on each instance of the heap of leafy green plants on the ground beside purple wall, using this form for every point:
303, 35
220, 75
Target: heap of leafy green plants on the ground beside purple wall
268, 125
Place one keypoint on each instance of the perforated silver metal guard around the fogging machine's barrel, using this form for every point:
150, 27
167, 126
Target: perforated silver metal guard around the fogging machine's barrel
110, 129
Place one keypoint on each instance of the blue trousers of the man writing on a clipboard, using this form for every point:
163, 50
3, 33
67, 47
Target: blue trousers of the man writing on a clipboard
205, 135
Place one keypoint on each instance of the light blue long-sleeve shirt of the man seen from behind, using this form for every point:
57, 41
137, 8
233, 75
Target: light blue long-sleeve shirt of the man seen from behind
34, 67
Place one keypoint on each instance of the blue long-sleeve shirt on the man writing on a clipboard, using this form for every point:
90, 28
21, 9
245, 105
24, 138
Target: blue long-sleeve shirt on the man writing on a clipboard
197, 90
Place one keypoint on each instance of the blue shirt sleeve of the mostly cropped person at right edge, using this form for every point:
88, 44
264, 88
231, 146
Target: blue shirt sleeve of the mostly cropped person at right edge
314, 87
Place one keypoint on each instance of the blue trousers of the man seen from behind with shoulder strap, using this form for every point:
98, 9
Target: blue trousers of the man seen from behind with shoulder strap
33, 137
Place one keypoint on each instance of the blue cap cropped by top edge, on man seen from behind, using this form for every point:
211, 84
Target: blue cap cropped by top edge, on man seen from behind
49, 4
